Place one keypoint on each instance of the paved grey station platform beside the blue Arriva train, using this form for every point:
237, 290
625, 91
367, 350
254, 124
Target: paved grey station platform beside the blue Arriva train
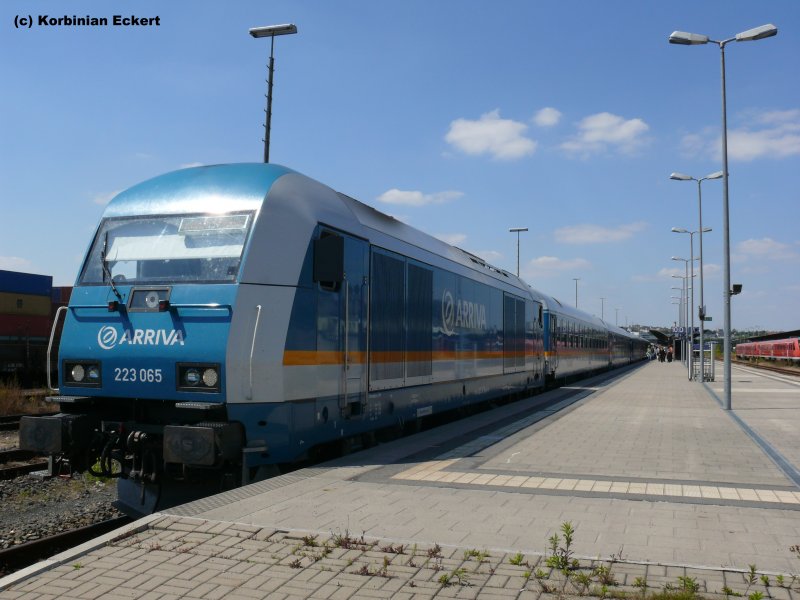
662, 488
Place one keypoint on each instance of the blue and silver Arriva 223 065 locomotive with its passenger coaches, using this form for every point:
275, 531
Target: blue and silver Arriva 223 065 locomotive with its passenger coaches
231, 319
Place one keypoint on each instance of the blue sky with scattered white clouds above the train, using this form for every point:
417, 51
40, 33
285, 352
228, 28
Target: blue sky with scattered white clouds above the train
462, 118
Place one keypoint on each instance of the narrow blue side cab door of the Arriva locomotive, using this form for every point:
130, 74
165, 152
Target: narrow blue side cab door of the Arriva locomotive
354, 294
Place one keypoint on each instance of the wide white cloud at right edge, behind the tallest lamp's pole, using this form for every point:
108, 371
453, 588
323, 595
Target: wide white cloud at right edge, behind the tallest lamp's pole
771, 134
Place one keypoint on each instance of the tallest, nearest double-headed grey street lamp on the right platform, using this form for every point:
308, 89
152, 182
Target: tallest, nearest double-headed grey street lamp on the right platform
691, 39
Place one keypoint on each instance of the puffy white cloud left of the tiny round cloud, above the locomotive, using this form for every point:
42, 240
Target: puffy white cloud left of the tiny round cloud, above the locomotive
503, 139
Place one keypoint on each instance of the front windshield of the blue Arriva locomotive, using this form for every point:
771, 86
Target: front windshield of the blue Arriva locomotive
167, 249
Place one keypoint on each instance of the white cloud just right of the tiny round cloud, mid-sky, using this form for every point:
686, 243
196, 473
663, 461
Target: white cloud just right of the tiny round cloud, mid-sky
602, 131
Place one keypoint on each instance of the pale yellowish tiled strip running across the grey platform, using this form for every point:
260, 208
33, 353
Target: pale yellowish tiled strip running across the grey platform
436, 471
